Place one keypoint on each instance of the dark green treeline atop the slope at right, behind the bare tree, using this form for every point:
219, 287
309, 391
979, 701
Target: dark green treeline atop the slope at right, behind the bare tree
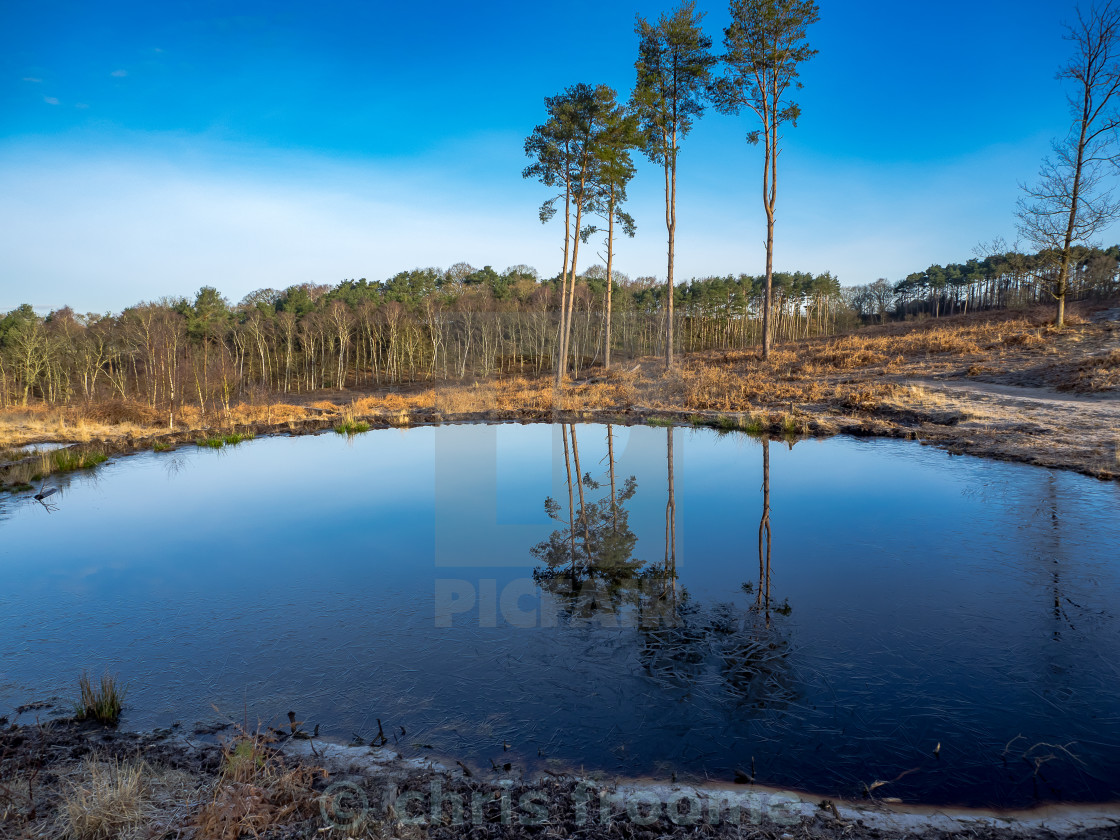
997, 282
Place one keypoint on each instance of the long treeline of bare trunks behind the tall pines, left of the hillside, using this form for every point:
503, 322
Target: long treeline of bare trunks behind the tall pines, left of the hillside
426, 325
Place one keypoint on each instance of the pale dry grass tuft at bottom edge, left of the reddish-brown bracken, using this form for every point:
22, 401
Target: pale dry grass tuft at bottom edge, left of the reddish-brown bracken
110, 800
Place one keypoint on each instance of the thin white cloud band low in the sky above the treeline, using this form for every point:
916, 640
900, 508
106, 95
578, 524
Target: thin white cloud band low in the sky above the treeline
106, 231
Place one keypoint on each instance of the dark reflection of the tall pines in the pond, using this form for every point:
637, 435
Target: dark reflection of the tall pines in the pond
589, 566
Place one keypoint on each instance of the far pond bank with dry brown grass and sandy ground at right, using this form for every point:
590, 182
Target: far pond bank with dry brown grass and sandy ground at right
1058, 432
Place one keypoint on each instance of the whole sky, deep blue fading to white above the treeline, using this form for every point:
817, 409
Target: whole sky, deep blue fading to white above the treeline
148, 150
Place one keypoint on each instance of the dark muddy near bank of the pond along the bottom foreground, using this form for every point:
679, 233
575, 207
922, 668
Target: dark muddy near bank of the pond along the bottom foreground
60, 777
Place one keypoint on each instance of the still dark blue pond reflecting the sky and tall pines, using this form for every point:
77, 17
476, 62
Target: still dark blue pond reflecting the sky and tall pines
825, 615
